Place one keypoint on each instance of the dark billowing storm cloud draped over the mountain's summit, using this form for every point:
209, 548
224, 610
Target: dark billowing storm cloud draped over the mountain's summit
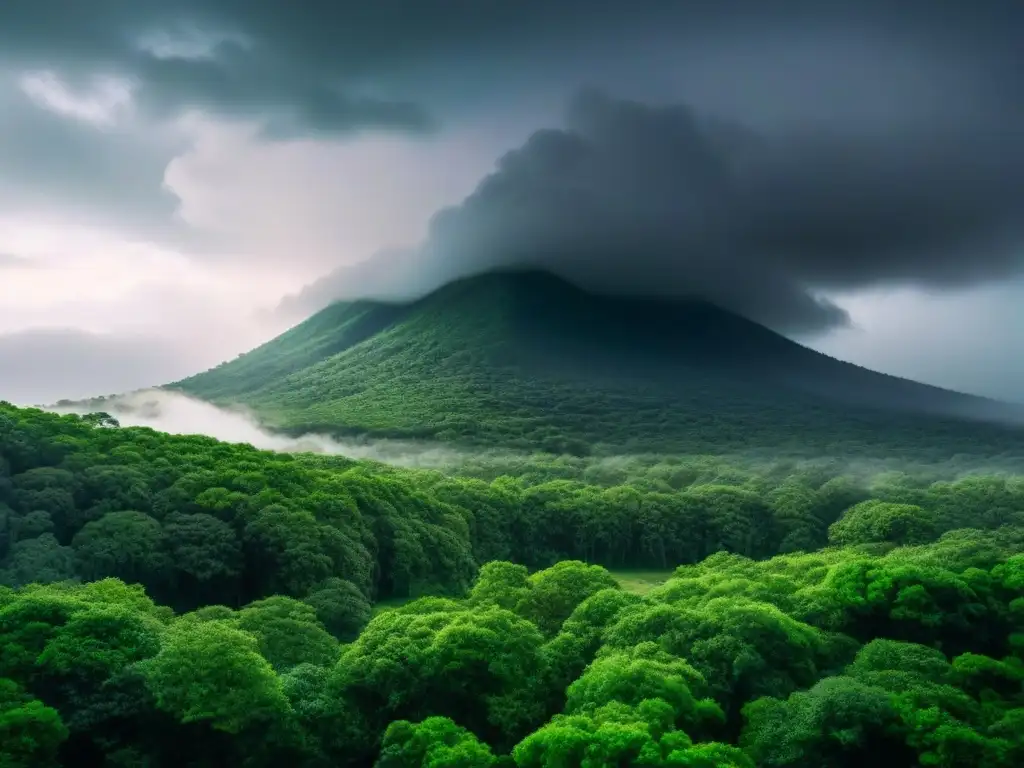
655, 199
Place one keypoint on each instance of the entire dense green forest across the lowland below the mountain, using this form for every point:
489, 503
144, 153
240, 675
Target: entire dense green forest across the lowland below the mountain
179, 602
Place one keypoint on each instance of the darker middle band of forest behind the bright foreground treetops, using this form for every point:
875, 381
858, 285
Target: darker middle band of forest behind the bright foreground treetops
199, 522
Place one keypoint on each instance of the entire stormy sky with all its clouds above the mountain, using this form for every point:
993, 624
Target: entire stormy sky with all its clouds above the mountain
183, 180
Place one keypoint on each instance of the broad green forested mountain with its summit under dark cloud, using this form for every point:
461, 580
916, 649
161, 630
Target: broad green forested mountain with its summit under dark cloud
530, 361
